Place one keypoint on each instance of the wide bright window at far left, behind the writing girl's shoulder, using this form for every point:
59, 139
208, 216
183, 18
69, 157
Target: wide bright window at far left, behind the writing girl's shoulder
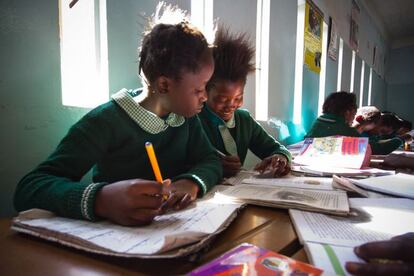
83, 53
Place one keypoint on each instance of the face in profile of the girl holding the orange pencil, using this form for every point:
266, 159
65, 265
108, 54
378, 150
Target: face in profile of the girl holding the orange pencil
187, 94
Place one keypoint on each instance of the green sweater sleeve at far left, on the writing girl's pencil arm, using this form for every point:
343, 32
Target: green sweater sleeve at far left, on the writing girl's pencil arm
55, 184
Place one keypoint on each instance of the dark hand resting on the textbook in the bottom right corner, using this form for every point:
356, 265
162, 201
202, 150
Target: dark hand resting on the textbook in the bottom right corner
391, 257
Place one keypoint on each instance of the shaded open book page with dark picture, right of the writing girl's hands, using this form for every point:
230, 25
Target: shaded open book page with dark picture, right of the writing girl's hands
325, 201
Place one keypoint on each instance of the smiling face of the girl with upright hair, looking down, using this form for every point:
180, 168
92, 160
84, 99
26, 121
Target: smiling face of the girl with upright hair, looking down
225, 97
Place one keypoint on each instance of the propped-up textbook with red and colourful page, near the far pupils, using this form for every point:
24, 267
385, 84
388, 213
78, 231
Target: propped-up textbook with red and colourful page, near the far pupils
333, 151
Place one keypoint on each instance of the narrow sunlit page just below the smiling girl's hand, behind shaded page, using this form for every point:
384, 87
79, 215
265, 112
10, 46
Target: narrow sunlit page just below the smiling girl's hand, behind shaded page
290, 181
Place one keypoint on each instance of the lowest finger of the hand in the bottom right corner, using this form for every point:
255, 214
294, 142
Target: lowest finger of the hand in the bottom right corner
379, 268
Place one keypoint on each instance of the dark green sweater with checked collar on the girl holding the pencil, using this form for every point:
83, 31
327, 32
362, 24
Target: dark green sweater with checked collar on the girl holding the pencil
111, 140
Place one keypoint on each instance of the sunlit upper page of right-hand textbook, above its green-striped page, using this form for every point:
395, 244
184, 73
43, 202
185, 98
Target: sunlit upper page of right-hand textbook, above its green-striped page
371, 219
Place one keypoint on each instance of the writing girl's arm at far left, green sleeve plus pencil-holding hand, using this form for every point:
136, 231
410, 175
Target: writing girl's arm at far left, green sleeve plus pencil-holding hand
55, 184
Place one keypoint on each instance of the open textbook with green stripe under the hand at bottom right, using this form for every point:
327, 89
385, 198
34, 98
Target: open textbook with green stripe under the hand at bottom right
329, 240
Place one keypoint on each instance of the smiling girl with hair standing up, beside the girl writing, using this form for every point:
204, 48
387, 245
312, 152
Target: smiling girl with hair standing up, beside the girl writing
230, 129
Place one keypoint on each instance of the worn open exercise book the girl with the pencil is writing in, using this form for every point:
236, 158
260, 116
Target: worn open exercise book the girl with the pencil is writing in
171, 235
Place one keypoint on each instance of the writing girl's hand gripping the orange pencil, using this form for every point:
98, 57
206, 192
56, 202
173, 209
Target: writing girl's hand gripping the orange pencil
130, 202
